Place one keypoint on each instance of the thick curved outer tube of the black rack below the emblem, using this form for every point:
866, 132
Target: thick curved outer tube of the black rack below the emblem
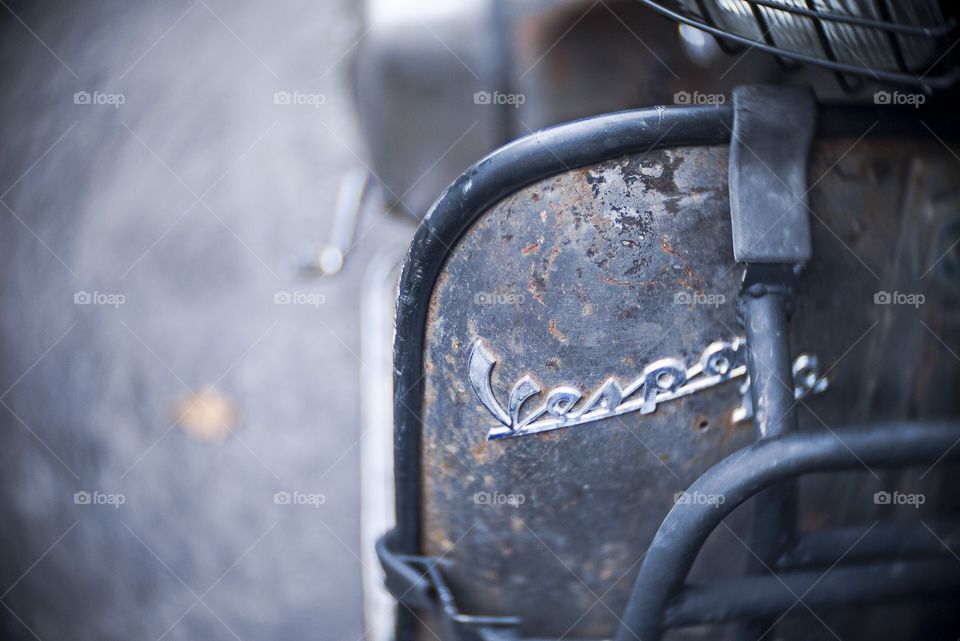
747, 472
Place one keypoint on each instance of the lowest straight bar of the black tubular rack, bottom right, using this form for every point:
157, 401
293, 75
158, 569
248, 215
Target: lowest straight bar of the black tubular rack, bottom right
842, 587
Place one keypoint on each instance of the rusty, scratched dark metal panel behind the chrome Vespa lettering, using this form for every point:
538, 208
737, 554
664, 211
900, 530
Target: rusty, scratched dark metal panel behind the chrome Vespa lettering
575, 279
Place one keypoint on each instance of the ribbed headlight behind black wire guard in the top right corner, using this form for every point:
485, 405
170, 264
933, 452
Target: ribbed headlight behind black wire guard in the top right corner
852, 39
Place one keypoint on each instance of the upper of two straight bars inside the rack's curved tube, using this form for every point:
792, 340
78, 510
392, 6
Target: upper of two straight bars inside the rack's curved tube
932, 537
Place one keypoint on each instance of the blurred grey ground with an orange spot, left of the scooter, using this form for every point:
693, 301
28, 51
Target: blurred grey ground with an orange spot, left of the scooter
144, 356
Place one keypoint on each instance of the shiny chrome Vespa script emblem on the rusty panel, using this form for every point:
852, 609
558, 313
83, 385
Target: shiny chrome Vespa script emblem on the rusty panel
662, 380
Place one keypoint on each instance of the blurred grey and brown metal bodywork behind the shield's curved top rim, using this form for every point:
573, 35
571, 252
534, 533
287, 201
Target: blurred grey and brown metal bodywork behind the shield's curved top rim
443, 83
